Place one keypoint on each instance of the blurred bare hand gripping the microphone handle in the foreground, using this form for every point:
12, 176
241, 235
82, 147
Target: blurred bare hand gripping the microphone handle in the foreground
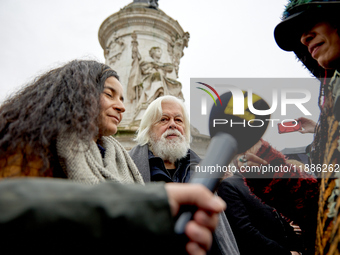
199, 230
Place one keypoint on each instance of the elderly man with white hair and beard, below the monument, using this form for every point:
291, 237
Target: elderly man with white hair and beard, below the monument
163, 154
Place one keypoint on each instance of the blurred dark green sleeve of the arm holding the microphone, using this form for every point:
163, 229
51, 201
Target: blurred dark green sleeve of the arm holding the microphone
49, 216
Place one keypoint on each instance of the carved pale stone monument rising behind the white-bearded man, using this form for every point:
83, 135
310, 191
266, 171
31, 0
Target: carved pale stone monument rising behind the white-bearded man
144, 46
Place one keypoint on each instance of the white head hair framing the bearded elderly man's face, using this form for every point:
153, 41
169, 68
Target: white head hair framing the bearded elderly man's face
153, 114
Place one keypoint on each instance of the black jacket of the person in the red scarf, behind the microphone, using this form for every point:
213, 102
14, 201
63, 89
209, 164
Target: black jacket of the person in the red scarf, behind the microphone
258, 228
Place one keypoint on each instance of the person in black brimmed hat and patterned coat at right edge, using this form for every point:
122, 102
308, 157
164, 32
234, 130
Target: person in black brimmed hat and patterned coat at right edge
310, 29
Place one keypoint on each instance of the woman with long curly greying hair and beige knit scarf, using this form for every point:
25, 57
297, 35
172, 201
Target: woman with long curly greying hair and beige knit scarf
60, 125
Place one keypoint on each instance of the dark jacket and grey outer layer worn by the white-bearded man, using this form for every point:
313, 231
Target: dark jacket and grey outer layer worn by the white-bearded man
224, 241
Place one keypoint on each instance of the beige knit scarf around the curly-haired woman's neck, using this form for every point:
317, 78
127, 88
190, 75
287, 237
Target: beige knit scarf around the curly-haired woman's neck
83, 162
